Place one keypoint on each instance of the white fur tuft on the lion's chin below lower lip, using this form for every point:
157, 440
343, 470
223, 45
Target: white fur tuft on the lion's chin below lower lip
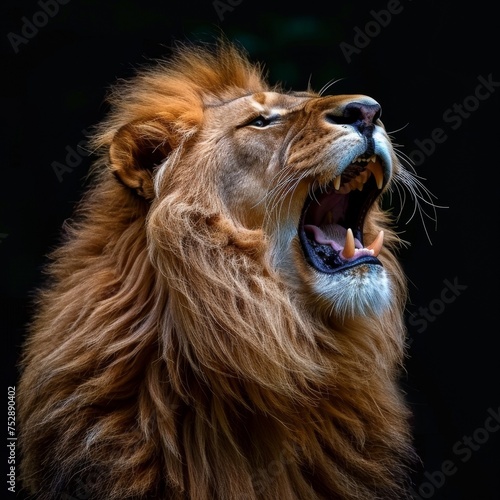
353, 293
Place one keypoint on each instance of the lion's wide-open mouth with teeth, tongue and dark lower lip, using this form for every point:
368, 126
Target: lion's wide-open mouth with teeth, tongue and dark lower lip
331, 225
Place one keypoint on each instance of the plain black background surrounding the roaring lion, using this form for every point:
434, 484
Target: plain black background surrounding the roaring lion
422, 61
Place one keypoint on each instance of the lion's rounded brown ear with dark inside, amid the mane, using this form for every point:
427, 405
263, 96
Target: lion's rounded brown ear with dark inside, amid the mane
135, 150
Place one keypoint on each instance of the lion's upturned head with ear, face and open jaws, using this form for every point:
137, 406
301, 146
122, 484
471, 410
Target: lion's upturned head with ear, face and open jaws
299, 172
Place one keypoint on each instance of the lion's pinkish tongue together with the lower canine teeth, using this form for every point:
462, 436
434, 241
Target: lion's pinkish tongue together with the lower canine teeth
342, 240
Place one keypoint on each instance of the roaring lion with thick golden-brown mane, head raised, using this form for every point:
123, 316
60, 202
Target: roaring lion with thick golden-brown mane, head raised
224, 316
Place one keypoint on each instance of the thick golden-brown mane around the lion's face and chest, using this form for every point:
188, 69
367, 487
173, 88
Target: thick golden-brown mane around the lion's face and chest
168, 360
